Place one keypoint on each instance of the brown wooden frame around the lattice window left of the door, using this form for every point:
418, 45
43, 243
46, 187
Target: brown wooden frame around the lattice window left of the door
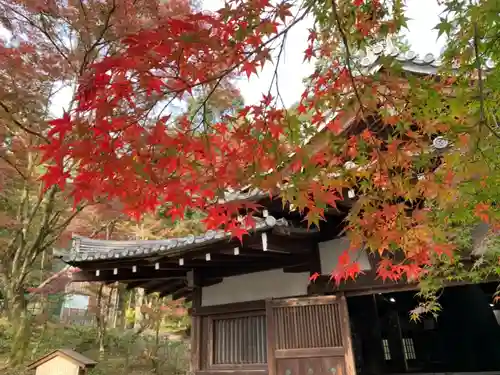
210, 342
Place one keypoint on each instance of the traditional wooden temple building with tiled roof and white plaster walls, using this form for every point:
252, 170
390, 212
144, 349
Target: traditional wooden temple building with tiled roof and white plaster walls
256, 312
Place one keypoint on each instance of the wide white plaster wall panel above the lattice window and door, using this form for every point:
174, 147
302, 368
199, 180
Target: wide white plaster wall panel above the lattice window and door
256, 286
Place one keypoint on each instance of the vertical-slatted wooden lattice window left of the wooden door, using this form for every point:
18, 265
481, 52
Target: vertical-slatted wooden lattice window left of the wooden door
239, 339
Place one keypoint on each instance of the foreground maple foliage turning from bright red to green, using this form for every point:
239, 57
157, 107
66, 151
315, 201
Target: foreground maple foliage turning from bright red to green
411, 202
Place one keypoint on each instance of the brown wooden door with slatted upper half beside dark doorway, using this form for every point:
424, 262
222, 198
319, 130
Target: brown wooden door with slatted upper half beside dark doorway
309, 336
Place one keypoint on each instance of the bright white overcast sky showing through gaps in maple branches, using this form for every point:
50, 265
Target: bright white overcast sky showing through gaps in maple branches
423, 14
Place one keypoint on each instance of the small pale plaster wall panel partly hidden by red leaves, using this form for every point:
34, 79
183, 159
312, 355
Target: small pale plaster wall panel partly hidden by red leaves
329, 252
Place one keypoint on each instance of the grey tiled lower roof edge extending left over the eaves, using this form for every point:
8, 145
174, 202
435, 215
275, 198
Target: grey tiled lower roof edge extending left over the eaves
86, 249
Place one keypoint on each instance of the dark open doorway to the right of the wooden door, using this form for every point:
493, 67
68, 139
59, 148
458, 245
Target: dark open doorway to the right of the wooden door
465, 337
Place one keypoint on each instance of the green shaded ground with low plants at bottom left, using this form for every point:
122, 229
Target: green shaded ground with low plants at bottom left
125, 355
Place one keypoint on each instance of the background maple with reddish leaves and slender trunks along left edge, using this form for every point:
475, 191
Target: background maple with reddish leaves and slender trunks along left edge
47, 48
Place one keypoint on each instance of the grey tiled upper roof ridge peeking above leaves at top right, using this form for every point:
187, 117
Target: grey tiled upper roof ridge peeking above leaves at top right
410, 60
